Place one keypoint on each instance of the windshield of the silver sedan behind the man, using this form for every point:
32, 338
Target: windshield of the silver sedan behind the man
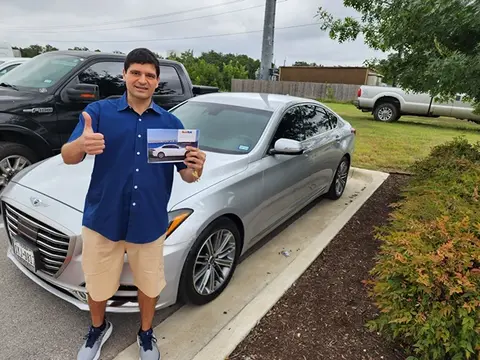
224, 128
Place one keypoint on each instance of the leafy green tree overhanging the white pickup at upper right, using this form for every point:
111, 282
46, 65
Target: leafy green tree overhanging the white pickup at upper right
433, 46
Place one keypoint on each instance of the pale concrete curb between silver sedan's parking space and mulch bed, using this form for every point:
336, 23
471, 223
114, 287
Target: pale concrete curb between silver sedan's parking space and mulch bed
225, 342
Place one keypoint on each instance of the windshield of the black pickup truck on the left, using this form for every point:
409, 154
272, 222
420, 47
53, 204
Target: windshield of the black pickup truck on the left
41, 72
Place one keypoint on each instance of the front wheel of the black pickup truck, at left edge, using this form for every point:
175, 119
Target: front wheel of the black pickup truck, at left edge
13, 158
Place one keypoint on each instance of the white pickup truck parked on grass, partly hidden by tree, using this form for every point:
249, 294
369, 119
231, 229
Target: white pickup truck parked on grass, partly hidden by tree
389, 103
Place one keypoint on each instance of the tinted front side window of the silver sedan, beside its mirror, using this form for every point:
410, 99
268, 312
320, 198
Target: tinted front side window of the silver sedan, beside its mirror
299, 123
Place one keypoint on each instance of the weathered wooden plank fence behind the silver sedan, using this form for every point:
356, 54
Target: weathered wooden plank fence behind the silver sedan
337, 92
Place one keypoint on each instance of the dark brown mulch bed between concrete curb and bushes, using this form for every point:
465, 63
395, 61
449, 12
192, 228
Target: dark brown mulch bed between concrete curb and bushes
323, 315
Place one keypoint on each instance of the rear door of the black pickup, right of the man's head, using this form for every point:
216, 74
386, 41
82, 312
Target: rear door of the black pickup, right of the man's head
170, 91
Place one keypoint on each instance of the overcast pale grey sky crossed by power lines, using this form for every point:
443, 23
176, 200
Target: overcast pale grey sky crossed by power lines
176, 25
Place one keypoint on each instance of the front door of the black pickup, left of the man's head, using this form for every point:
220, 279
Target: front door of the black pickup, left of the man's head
107, 74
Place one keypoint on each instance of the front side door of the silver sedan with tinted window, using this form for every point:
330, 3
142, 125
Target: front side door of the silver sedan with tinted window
286, 179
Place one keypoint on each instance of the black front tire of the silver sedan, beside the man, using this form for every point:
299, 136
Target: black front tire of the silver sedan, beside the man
188, 289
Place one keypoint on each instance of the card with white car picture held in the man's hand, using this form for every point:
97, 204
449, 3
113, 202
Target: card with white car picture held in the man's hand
168, 145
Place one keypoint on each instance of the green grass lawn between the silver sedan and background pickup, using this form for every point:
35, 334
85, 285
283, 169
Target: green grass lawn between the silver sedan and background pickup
396, 146
